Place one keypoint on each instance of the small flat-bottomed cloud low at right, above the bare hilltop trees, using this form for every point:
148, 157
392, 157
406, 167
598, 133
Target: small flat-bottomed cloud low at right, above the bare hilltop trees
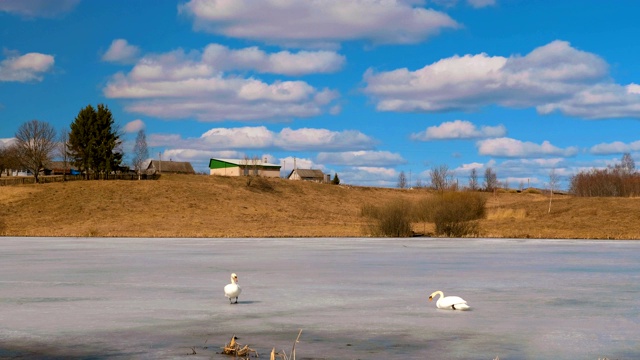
507, 147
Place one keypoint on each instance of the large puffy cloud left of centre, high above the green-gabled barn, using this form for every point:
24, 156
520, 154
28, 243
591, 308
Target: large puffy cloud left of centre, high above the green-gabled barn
188, 85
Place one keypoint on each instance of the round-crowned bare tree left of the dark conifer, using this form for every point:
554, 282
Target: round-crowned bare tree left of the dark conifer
36, 141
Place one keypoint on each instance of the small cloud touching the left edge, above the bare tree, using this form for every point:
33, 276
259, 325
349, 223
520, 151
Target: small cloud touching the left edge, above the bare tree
24, 68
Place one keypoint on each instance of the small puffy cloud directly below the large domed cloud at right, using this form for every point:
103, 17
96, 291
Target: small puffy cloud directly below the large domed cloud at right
459, 129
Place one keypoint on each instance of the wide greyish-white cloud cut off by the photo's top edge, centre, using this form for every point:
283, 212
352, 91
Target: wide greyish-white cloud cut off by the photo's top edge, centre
318, 23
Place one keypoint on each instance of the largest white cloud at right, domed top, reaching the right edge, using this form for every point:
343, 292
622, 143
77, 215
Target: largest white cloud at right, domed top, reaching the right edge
553, 77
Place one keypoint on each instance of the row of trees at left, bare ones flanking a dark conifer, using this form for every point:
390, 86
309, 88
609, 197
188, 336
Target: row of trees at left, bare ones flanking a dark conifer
92, 144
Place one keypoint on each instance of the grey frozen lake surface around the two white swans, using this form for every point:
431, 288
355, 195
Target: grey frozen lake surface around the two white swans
353, 298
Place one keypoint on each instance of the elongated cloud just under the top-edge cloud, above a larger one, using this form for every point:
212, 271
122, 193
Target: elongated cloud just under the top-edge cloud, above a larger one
284, 62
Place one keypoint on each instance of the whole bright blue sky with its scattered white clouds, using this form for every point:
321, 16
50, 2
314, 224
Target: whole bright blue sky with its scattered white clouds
364, 88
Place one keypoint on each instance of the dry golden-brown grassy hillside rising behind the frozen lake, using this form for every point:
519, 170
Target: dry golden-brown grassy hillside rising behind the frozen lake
205, 206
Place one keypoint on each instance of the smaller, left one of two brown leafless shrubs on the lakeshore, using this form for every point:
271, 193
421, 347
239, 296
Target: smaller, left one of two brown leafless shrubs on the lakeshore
392, 219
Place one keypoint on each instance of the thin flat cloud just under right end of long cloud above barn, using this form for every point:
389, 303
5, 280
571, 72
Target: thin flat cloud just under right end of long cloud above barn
361, 158
